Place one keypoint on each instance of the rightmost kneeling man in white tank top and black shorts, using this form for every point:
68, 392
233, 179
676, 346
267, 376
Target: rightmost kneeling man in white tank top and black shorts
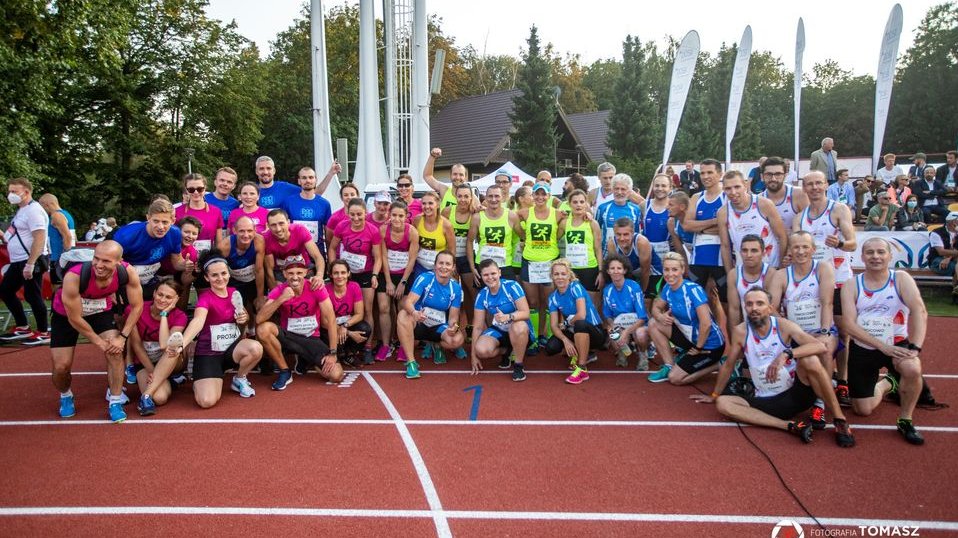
886, 319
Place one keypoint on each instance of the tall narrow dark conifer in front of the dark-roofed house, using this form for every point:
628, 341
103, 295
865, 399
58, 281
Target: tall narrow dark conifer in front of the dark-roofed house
534, 110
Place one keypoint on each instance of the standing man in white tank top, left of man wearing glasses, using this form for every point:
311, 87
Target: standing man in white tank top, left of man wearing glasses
746, 213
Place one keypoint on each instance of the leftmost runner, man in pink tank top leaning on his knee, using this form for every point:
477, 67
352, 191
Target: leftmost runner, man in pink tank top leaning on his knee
86, 307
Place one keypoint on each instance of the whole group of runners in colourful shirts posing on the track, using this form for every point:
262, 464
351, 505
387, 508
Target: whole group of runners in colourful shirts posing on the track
700, 285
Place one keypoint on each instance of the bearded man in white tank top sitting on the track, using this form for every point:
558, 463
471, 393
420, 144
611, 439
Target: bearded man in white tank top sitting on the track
786, 379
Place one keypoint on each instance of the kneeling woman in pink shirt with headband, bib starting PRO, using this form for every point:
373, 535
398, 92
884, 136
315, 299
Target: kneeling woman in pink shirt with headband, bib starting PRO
217, 325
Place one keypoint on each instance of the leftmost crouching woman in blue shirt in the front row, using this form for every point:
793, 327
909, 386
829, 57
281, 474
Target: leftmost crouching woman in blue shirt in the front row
434, 300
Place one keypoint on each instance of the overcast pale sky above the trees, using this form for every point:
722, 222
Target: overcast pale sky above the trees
848, 31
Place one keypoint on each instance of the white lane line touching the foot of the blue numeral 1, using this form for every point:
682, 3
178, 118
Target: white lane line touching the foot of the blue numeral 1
134, 421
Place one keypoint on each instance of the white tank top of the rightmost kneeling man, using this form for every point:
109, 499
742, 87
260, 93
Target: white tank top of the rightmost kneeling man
881, 312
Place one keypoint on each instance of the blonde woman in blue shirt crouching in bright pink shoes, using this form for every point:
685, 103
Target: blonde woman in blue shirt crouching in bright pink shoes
576, 327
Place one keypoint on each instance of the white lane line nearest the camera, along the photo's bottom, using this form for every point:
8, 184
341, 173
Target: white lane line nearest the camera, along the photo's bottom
468, 514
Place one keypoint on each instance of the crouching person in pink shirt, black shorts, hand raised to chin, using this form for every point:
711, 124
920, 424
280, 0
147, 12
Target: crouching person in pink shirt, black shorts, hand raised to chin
302, 310
